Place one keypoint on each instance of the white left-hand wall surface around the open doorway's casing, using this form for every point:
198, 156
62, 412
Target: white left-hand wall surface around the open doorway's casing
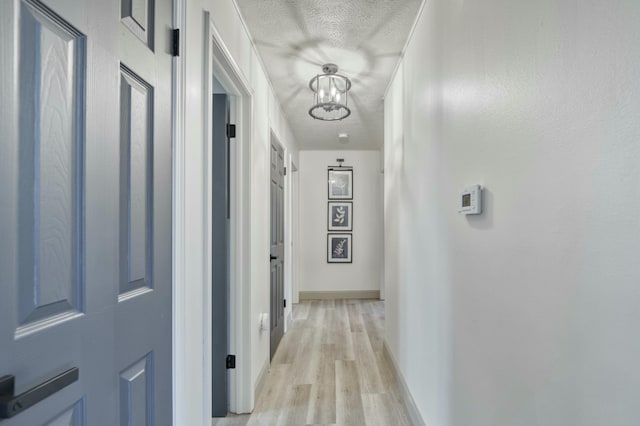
267, 116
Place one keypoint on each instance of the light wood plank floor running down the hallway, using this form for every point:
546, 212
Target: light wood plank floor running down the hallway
330, 370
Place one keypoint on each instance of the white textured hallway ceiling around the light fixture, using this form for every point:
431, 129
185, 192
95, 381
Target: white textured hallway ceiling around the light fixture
363, 37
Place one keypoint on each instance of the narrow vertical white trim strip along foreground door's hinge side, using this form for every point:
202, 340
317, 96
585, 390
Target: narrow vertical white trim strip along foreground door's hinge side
178, 214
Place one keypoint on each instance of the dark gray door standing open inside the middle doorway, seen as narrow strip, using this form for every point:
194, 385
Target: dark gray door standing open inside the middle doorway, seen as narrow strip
220, 250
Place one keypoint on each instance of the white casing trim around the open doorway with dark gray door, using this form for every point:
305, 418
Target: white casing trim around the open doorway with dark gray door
219, 61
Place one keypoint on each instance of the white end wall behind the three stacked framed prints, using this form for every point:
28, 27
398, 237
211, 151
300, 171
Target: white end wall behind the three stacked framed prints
364, 273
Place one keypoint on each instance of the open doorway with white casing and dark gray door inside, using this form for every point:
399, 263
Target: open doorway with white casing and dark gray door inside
227, 162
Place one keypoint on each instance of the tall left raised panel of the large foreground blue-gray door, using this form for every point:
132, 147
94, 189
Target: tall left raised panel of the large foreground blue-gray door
50, 229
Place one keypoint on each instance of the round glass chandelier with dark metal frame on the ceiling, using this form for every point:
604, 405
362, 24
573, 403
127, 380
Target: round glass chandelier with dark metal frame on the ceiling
330, 94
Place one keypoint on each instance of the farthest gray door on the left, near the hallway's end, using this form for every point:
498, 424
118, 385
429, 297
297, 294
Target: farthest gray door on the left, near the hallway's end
277, 246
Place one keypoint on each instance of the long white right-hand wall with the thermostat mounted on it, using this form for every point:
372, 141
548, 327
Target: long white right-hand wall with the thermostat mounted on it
527, 314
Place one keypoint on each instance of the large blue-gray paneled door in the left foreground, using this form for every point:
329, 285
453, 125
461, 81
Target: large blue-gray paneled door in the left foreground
85, 216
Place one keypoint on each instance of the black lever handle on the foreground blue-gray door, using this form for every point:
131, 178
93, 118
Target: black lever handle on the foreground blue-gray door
10, 405
